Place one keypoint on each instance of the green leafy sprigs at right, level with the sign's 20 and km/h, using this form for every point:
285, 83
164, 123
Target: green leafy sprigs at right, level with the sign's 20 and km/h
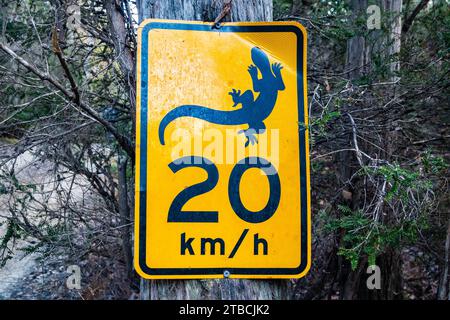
369, 235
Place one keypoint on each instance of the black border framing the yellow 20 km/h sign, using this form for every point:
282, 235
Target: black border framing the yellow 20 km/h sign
140, 262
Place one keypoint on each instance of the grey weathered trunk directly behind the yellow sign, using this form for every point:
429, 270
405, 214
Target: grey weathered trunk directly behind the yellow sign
225, 289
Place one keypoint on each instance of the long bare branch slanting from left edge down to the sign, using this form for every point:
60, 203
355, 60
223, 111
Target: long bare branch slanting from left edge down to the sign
123, 141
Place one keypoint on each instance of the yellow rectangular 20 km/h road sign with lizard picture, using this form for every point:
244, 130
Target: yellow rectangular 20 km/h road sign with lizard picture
222, 163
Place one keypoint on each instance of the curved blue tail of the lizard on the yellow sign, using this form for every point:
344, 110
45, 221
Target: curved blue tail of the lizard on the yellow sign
234, 117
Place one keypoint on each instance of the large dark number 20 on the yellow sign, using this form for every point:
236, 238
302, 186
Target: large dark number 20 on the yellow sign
176, 214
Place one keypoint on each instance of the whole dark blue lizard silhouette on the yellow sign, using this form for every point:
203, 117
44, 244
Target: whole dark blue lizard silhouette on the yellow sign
253, 111
